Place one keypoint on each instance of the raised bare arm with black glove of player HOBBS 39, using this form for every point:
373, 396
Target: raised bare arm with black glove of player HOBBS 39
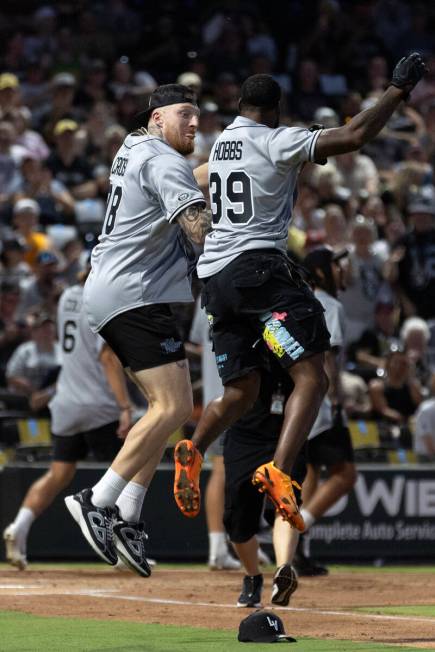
367, 124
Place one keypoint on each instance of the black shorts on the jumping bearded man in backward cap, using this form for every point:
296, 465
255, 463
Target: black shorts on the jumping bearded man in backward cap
145, 337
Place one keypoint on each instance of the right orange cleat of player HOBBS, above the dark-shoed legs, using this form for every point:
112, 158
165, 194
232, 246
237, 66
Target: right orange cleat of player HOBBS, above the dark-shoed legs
279, 488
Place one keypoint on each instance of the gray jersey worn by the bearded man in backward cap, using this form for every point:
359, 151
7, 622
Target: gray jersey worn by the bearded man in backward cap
142, 256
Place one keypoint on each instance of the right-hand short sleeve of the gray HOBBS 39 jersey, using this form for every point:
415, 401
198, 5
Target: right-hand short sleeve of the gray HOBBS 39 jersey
292, 145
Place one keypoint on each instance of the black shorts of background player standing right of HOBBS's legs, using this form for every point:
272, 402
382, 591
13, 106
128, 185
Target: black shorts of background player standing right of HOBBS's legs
331, 447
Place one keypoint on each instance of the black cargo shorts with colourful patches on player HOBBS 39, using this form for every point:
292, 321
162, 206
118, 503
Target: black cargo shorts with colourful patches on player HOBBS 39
258, 302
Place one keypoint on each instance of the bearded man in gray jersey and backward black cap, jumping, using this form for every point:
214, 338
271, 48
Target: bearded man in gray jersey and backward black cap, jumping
139, 267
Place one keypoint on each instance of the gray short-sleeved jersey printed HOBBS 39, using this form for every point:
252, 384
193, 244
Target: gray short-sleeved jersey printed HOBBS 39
252, 175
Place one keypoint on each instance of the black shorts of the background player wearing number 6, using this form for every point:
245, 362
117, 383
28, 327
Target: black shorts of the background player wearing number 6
100, 444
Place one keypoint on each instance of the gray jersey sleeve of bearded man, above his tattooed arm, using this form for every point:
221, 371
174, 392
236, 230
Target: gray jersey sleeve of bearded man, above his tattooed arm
170, 178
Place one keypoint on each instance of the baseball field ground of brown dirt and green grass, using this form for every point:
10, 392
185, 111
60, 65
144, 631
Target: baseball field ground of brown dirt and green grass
125, 613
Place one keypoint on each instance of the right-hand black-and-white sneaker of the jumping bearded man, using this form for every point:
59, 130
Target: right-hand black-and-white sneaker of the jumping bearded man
129, 544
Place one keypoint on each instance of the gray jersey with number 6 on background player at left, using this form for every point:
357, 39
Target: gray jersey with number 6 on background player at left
83, 398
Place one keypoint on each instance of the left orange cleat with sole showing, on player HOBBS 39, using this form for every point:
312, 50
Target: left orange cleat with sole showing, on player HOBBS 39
188, 461
